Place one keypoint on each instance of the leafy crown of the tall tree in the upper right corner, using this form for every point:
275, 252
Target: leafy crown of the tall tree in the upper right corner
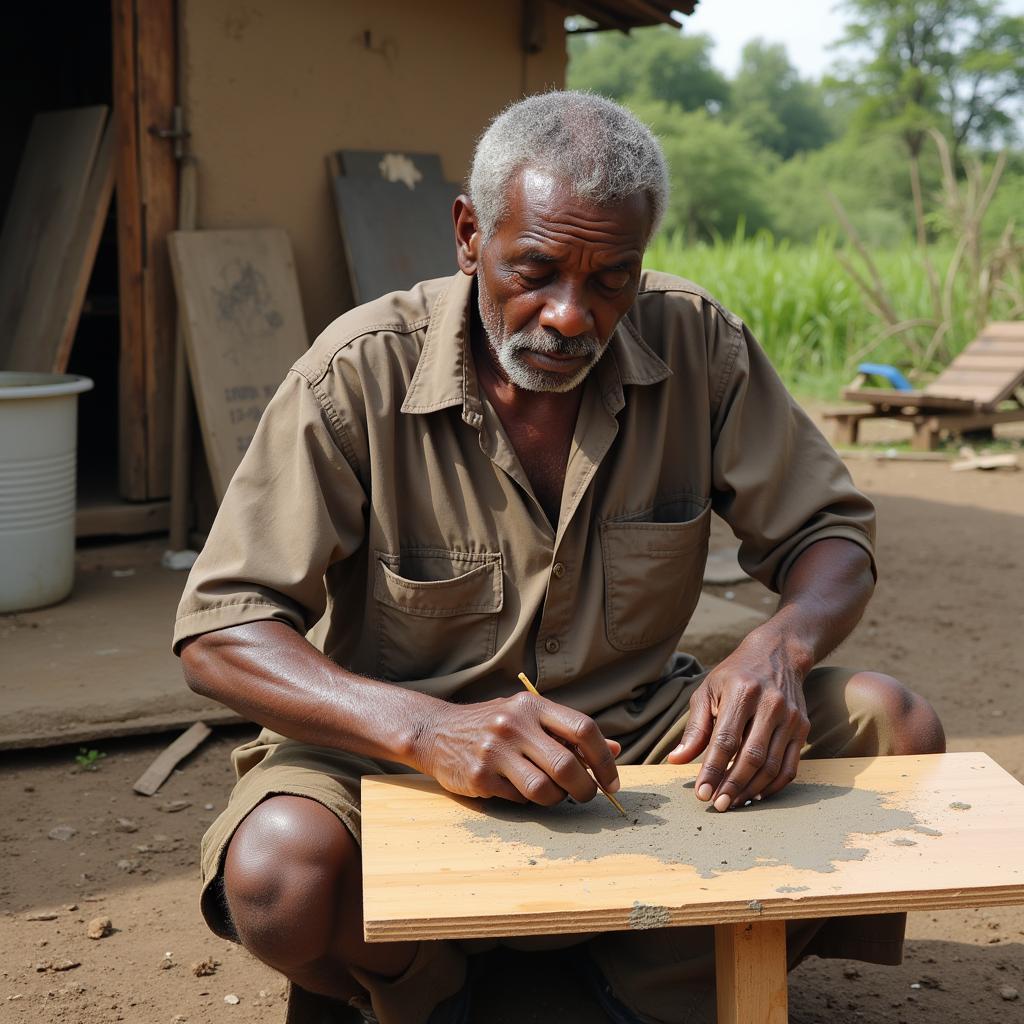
956, 65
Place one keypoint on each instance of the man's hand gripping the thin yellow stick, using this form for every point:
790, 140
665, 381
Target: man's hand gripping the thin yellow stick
518, 748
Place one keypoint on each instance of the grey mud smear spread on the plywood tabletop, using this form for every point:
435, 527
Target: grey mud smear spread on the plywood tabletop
798, 828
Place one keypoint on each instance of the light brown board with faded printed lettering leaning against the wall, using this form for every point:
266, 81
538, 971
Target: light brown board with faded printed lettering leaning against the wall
239, 302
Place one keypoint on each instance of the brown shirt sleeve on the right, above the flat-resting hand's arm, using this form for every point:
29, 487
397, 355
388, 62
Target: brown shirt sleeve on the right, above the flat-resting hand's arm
776, 480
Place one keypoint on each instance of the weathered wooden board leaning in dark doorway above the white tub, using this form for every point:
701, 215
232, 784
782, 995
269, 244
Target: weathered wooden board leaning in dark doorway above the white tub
42, 223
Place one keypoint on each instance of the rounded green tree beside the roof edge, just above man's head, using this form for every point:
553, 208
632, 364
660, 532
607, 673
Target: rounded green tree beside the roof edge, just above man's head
649, 65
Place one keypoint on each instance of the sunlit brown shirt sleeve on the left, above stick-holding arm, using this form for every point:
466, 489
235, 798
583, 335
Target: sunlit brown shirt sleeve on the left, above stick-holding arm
294, 507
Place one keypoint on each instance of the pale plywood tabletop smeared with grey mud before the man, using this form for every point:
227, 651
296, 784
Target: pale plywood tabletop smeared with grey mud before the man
849, 837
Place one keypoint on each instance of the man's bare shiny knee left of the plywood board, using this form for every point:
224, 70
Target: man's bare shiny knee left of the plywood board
284, 877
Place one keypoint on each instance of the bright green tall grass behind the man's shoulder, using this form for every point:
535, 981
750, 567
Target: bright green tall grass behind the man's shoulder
813, 320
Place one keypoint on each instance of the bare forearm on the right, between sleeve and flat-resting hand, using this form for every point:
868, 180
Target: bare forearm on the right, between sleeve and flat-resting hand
826, 593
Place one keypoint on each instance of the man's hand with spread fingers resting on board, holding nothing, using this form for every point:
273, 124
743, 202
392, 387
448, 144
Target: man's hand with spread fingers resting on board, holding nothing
751, 716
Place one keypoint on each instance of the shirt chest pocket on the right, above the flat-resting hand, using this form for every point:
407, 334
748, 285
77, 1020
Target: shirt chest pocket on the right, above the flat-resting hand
654, 569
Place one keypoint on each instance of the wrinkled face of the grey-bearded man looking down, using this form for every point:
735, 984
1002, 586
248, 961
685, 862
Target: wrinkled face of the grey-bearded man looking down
556, 279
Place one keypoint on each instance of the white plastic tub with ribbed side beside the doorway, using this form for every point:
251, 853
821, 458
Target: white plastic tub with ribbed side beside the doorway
38, 446
